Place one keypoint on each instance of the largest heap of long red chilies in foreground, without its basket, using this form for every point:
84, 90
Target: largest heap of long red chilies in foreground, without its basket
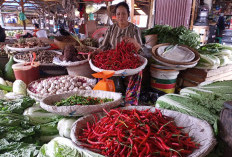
137, 133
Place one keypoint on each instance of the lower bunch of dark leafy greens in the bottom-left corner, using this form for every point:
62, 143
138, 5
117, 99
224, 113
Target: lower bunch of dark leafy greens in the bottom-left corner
17, 136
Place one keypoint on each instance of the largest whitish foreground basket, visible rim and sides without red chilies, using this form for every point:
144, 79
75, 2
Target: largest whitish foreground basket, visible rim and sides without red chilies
200, 130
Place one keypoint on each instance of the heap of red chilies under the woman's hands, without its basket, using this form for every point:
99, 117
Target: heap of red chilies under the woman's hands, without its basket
123, 57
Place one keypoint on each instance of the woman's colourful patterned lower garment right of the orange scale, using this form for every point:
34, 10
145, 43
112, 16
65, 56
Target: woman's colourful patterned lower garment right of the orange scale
133, 89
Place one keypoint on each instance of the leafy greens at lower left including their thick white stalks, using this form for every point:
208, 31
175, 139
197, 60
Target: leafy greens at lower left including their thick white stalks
23, 130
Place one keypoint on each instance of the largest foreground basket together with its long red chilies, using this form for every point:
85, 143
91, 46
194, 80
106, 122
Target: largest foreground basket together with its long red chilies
143, 131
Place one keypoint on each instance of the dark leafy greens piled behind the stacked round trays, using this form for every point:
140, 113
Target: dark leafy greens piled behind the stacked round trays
178, 35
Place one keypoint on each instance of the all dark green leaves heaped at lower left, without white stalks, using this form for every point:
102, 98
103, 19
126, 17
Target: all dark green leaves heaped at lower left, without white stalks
17, 134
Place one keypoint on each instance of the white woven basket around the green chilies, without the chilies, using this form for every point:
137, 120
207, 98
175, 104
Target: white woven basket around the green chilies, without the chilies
79, 110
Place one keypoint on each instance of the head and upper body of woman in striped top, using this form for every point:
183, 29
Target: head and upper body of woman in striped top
122, 29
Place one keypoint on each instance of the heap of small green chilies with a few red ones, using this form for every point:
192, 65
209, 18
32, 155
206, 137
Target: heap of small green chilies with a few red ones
81, 100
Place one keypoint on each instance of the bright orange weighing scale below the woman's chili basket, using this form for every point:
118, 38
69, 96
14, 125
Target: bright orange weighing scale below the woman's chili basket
105, 84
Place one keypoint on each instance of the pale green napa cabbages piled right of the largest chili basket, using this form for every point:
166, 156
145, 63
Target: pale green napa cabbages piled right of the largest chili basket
204, 102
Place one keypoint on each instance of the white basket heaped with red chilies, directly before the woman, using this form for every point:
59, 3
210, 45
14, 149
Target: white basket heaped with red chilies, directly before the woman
124, 60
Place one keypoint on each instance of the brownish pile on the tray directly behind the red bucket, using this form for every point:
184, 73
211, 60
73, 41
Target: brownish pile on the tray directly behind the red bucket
42, 56
